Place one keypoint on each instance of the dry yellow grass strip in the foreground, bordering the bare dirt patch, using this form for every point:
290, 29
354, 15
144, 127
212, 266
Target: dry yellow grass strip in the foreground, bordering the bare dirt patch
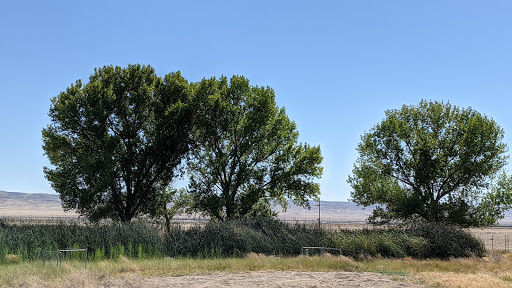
495, 270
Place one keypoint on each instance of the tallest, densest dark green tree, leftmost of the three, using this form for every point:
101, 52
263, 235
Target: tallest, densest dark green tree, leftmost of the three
115, 143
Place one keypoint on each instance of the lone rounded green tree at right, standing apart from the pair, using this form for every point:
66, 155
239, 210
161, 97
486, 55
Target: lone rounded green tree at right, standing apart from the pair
436, 162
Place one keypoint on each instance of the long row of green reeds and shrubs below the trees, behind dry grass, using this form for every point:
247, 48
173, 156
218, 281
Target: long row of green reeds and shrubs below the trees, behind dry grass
236, 238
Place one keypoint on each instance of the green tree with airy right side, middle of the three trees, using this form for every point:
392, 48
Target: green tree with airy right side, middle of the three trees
247, 156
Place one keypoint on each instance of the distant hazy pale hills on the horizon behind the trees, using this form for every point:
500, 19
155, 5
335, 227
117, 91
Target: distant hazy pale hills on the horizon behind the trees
16, 204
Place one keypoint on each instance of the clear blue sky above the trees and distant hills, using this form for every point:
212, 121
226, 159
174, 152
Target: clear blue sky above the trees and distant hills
335, 66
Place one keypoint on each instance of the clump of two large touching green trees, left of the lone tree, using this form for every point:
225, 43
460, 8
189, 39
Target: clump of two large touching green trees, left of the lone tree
117, 142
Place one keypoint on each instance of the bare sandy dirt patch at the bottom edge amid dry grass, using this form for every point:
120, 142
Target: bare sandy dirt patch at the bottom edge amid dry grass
267, 279
